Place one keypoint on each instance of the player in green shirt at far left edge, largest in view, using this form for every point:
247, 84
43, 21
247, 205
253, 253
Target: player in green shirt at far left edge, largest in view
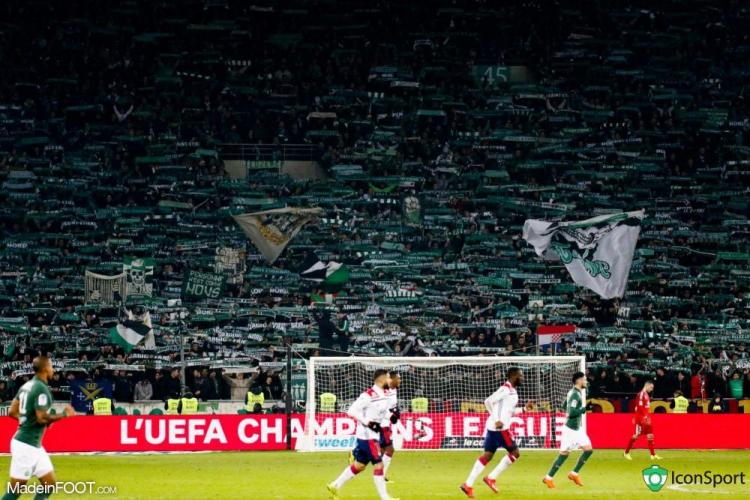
31, 408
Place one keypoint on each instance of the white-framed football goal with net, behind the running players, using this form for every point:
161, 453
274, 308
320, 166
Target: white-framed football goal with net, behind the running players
441, 399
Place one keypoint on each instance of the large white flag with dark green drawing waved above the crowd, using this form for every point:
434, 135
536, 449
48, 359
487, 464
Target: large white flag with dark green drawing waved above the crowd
597, 252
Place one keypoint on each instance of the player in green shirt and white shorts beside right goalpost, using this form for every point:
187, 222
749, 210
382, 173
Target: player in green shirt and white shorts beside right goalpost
573, 435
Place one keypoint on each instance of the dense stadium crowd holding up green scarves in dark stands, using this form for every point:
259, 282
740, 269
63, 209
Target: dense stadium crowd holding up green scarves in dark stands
115, 128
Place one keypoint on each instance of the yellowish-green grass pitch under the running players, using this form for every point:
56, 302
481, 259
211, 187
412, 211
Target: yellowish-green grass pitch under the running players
416, 475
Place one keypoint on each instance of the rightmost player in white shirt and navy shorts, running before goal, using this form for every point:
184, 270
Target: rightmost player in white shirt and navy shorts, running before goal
501, 406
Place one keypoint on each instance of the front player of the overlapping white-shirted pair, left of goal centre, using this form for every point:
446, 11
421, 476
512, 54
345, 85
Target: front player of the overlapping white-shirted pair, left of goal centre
369, 410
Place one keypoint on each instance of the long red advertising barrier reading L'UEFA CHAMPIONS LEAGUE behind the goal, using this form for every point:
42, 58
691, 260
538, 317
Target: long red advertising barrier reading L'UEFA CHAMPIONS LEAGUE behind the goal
335, 432
